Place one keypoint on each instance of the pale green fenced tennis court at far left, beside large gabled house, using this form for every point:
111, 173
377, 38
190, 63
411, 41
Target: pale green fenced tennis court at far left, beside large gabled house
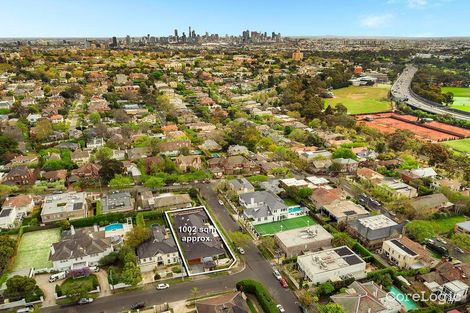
34, 249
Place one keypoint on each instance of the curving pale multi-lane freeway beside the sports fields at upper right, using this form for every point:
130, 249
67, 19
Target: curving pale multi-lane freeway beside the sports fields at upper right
401, 90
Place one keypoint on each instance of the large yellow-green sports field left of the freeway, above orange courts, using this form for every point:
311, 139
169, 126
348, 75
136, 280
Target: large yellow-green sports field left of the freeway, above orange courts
362, 99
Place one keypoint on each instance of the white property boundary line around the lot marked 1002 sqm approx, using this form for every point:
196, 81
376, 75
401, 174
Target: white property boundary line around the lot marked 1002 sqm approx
180, 249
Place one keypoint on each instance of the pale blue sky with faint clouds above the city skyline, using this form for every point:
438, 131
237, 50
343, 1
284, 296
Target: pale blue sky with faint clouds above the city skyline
105, 18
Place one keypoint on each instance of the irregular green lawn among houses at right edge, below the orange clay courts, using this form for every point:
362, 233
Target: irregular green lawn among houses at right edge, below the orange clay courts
423, 229
